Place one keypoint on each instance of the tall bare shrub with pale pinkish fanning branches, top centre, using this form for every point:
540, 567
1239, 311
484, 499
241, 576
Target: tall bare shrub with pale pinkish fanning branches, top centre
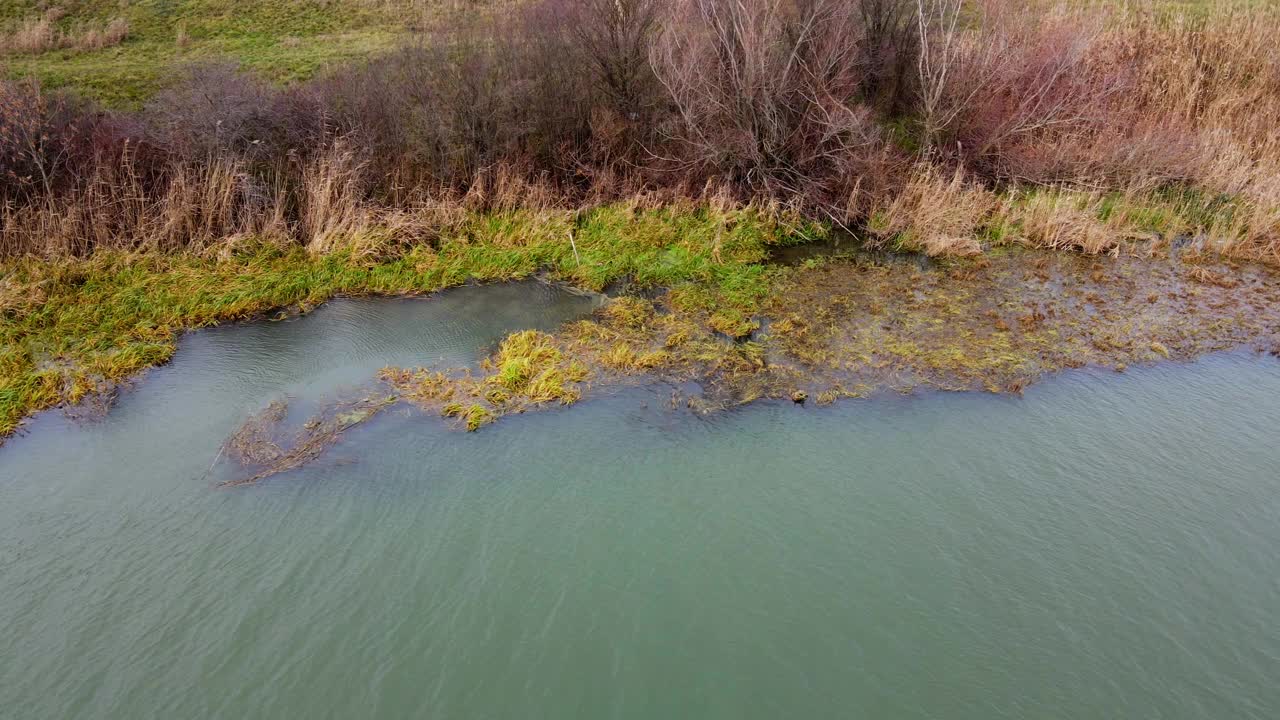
767, 93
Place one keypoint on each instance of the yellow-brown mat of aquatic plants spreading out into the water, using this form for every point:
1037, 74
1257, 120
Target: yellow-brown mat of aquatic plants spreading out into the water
831, 329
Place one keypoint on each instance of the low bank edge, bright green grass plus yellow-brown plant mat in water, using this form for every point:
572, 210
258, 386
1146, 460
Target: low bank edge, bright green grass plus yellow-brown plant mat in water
715, 309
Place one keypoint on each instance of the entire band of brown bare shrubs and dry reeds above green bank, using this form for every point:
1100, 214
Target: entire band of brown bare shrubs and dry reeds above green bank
916, 120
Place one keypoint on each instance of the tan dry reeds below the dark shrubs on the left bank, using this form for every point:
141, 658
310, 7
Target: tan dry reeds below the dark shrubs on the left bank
212, 206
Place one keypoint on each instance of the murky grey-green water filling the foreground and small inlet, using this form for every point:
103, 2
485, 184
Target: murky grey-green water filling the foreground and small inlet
1107, 546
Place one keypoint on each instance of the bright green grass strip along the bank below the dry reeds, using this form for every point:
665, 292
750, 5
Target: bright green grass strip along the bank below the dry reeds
71, 327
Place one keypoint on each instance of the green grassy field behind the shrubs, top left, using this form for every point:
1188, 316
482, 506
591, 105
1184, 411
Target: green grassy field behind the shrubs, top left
285, 40
